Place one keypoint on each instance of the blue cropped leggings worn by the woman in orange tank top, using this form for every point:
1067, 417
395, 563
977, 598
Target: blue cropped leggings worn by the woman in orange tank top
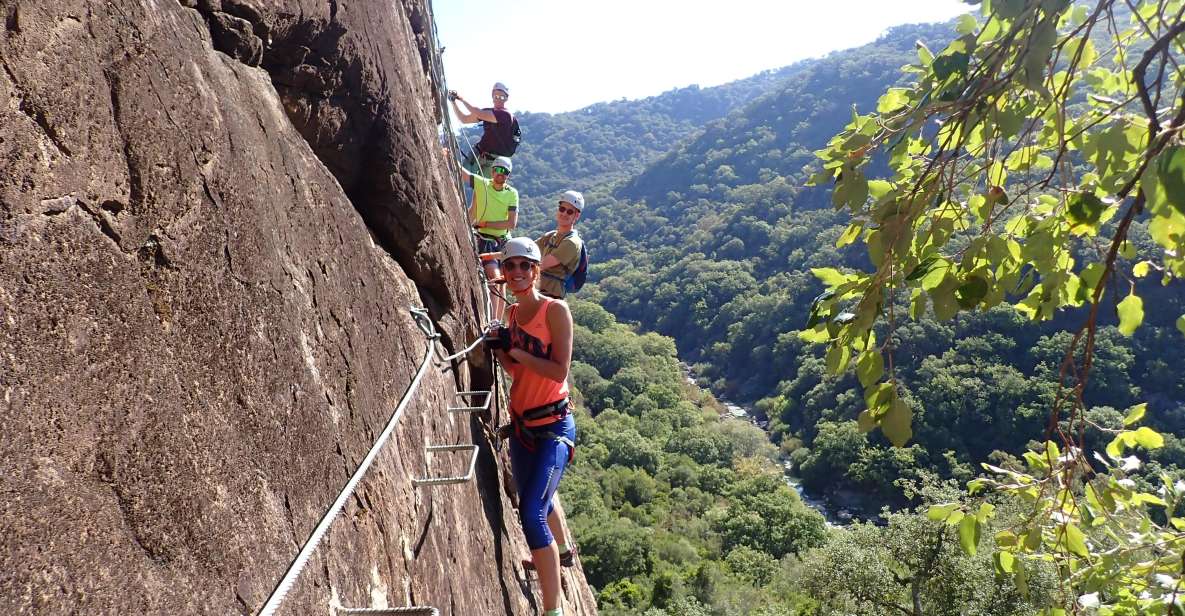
537, 476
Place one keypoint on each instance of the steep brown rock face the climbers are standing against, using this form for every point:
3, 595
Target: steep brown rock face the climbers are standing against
215, 216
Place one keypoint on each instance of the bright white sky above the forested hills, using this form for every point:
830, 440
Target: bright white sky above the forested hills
563, 55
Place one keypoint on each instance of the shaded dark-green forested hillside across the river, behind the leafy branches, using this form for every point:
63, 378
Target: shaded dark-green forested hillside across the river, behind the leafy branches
715, 246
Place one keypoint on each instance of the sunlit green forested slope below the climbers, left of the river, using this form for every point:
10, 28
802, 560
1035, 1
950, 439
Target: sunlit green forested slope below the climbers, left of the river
680, 511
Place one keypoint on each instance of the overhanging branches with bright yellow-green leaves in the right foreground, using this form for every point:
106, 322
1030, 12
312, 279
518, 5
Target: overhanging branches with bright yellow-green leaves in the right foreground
1052, 153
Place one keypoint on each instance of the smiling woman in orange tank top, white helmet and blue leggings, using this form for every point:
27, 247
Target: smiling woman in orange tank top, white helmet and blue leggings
536, 349
